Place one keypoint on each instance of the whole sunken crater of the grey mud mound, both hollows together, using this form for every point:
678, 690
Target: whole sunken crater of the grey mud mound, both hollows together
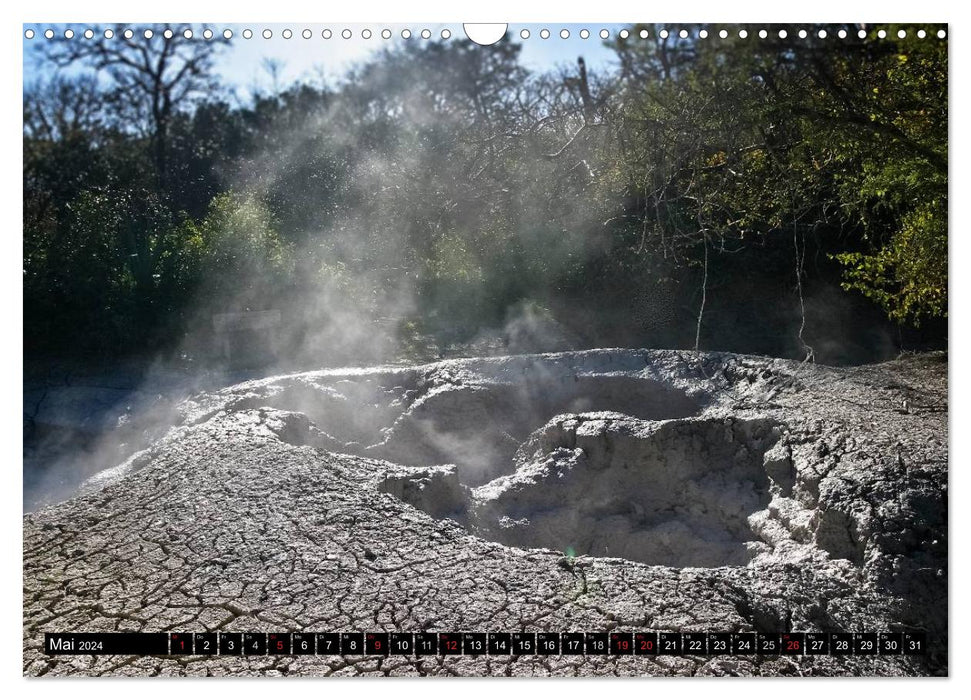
600, 465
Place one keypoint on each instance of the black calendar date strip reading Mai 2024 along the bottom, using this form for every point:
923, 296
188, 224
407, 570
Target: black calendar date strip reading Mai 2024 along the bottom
486, 643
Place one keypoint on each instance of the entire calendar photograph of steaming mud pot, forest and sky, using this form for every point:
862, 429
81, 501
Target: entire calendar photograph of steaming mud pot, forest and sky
619, 331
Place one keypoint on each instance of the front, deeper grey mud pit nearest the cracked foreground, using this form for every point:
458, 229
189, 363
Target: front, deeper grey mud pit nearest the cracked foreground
675, 493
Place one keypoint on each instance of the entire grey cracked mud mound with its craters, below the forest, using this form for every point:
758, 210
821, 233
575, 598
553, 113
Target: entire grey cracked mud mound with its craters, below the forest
585, 491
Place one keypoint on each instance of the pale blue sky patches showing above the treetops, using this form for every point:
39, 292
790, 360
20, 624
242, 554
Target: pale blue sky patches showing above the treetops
242, 65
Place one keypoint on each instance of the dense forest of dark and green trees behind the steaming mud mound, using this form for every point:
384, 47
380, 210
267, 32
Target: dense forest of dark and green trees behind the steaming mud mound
784, 196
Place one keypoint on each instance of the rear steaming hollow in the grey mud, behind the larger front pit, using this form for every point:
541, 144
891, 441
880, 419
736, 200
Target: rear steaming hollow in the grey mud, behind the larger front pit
477, 427
